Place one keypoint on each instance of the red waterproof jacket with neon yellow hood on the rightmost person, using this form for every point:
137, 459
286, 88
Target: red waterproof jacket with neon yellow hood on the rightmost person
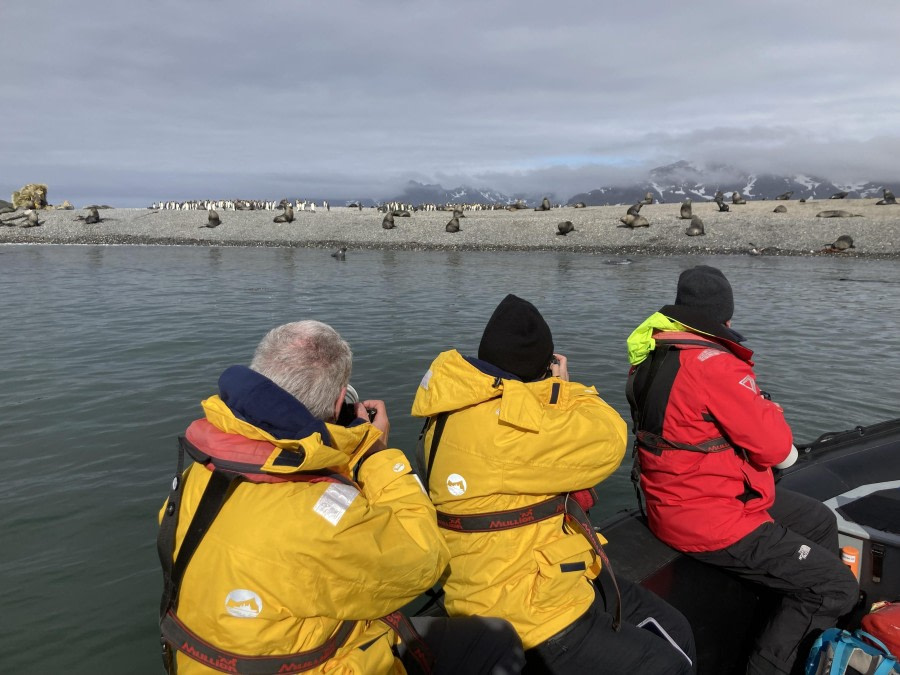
703, 393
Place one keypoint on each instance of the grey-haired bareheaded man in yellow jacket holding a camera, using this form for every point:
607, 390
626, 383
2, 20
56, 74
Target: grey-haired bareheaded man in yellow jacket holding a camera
297, 533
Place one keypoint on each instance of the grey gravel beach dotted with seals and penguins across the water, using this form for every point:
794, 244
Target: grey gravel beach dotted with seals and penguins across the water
748, 228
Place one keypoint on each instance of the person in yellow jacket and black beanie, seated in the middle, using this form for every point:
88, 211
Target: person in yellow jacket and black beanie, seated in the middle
511, 453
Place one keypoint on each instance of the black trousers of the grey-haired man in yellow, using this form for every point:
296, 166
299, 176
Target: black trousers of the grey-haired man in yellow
467, 645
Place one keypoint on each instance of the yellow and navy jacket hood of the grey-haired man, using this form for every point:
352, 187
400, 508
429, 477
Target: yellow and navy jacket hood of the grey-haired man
252, 406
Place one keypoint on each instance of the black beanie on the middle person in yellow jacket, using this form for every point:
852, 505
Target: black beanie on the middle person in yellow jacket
517, 339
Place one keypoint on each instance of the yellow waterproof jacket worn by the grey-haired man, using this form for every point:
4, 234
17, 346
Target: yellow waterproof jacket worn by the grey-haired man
285, 562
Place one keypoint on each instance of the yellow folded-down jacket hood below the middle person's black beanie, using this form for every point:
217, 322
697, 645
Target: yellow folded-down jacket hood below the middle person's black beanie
454, 381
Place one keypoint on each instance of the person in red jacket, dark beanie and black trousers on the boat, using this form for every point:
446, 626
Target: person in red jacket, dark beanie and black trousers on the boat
708, 439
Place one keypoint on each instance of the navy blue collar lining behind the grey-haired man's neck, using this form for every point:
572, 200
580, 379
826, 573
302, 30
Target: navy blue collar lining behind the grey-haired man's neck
254, 398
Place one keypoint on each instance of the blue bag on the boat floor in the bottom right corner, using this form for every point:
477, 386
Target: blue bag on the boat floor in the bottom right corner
837, 651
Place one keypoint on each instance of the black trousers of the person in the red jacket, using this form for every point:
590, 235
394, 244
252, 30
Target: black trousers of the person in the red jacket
796, 556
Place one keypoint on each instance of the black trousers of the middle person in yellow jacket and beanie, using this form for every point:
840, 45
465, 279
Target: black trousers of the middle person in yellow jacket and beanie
590, 645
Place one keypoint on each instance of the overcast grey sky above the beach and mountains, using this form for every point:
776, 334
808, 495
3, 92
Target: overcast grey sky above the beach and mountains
130, 102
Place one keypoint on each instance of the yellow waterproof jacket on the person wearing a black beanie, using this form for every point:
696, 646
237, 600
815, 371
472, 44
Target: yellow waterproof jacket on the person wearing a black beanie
507, 445
